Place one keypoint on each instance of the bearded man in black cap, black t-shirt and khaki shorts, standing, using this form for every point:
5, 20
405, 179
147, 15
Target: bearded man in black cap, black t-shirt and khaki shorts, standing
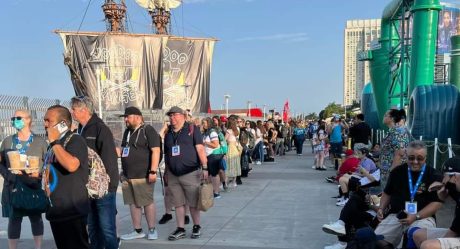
140, 156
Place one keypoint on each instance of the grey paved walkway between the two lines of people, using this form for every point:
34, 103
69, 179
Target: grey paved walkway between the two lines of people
281, 205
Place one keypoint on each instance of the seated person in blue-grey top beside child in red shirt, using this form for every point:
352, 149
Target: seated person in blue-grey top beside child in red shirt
365, 174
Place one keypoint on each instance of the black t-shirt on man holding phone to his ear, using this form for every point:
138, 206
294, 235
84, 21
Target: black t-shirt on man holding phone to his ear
69, 198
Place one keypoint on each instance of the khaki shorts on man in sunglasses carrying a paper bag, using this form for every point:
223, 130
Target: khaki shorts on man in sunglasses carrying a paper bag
184, 189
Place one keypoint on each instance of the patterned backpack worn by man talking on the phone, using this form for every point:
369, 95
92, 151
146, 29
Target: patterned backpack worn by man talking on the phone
98, 179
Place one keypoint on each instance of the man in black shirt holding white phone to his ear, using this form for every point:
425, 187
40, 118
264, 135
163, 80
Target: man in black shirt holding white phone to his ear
68, 168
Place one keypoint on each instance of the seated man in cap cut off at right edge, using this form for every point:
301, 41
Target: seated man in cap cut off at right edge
444, 238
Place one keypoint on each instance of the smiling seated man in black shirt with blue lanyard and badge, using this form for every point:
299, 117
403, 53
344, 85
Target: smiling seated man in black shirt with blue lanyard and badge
406, 197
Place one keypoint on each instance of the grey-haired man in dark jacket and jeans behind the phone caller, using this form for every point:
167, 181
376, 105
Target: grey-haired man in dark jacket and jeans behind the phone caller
102, 215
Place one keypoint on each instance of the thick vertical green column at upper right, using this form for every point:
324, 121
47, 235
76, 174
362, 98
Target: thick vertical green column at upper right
424, 35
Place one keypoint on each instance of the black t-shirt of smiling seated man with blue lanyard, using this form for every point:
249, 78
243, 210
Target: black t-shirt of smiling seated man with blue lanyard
398, 188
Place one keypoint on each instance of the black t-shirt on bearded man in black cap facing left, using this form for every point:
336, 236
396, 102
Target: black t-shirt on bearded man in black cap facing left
141, 141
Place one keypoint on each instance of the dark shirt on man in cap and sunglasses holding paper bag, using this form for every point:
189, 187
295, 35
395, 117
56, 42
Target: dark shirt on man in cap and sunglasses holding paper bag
188, 160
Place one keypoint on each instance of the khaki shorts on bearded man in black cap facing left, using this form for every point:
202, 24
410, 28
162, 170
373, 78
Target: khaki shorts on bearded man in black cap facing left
138, 192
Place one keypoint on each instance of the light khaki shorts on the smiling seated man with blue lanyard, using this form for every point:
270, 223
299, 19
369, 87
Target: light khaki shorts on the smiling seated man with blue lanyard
393, 231
